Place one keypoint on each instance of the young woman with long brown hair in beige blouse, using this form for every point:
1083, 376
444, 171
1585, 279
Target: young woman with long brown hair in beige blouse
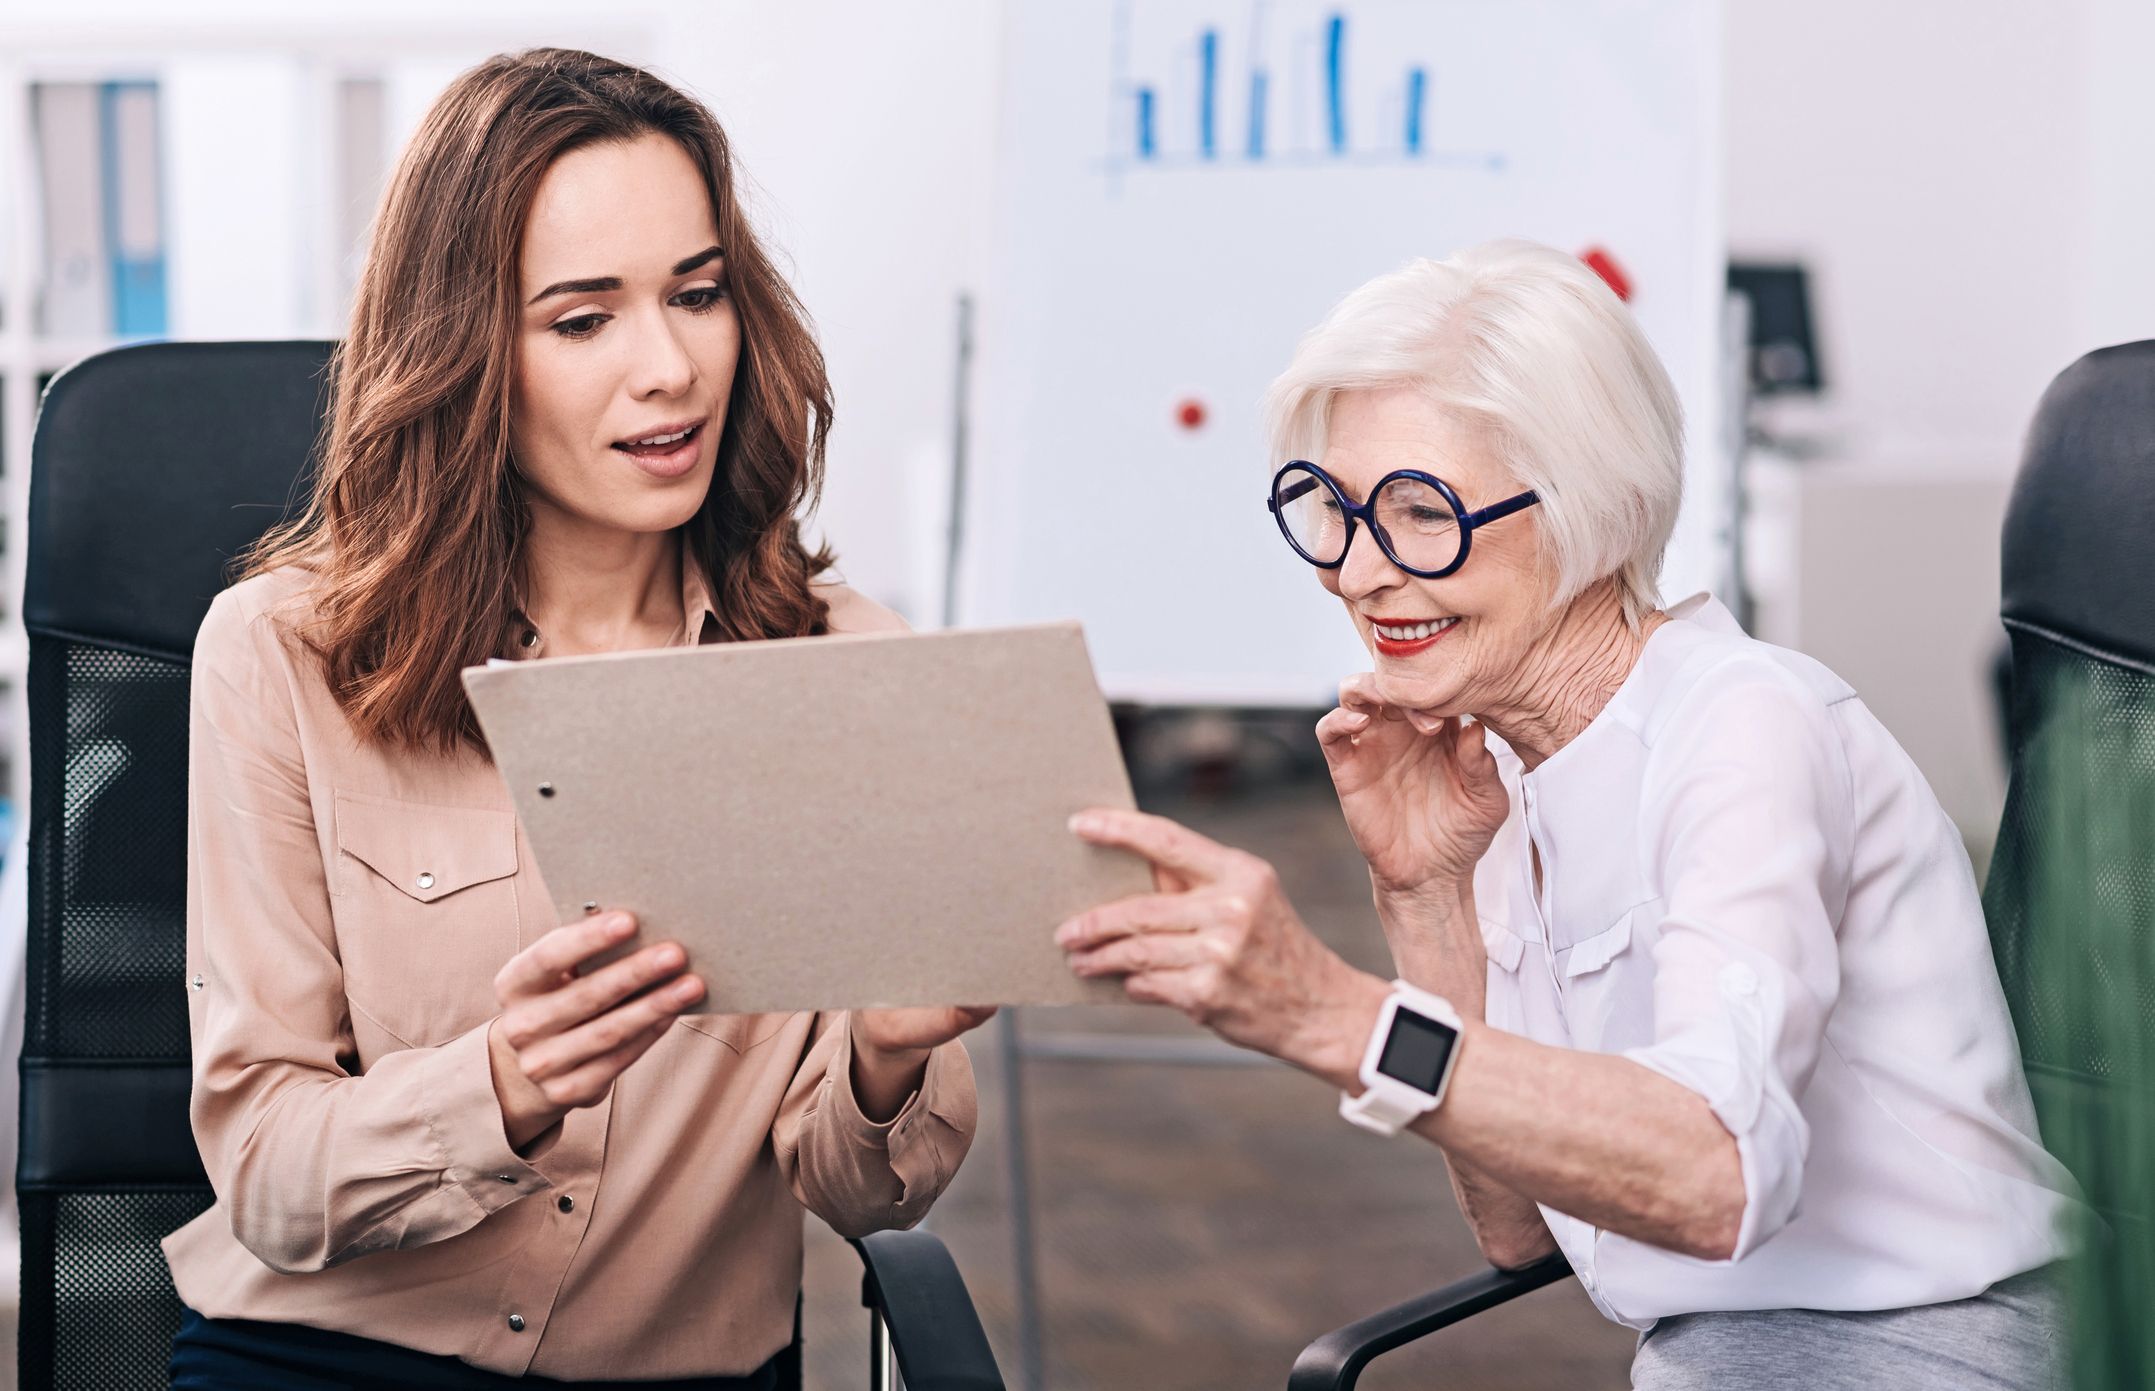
579, 411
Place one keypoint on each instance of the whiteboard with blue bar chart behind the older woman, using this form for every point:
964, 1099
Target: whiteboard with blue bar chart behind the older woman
1186, 187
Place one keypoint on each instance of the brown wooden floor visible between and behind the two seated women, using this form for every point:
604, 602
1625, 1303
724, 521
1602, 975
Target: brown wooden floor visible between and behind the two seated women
1201, 1224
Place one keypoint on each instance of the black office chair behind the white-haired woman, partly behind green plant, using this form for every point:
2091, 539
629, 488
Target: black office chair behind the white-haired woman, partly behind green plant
2072, 887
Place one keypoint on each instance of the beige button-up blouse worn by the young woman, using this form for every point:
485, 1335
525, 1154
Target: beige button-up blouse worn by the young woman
348, 909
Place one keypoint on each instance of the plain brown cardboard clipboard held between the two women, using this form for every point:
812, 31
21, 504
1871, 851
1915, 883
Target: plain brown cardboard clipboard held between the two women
826, 823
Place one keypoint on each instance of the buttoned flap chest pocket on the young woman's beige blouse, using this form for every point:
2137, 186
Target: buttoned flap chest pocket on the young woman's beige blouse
426, 915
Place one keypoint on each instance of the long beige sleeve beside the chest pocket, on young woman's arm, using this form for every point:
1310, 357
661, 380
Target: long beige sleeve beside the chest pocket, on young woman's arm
314, 1161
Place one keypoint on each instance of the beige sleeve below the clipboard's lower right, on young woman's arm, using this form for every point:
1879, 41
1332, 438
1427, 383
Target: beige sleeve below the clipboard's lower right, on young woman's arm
872, 1176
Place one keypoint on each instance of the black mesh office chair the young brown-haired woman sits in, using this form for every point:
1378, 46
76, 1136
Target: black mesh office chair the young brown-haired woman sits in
152, 469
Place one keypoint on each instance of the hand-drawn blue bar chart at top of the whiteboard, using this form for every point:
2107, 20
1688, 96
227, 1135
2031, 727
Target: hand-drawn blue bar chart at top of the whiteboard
1279, 85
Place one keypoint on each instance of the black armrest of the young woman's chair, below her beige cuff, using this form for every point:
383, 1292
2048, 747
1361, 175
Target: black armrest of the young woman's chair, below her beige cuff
934, 1330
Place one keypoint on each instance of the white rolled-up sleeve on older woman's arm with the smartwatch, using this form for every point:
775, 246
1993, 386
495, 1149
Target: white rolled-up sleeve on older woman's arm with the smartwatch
1751, 821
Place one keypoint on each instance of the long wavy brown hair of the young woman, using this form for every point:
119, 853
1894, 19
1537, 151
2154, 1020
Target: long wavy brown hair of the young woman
417, 523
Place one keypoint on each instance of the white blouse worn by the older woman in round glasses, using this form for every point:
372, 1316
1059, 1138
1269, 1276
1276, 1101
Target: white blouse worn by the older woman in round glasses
1751, 890
